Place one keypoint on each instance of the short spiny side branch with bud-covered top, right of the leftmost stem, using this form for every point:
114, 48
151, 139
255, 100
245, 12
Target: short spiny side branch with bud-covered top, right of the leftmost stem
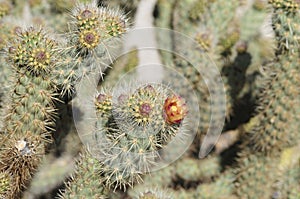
94, 32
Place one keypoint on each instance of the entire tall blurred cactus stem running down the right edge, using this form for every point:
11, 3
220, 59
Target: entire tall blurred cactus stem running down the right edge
277, 128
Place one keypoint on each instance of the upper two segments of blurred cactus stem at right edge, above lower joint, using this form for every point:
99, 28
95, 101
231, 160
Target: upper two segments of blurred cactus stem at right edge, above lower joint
279, 103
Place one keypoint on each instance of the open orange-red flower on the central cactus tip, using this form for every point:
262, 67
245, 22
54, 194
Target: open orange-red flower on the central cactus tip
175, 109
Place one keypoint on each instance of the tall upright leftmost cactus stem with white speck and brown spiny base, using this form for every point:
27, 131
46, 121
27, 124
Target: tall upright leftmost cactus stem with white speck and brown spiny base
30, 115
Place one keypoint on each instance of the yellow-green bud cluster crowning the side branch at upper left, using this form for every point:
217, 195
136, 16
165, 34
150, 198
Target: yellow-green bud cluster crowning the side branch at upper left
92, 26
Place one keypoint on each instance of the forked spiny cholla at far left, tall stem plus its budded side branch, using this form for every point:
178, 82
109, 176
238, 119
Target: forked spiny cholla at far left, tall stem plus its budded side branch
41, 68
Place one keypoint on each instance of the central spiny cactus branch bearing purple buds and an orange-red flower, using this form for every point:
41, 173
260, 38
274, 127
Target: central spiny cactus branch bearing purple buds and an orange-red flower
140, 123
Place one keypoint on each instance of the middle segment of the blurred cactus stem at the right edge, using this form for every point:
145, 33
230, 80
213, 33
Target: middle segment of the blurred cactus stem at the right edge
278, 128
